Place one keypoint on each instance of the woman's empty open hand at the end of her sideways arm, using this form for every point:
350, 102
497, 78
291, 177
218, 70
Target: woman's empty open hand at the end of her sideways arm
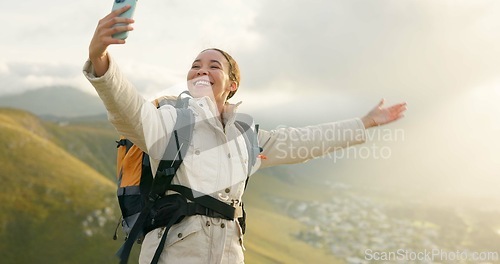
380, 116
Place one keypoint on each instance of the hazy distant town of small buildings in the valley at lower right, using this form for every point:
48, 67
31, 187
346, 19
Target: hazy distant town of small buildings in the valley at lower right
360, 229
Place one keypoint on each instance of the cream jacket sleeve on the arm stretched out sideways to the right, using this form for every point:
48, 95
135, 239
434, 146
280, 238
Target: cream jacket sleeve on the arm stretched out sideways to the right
288, 145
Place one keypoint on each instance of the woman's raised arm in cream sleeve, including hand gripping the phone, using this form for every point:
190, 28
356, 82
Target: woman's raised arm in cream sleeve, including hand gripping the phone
133, 117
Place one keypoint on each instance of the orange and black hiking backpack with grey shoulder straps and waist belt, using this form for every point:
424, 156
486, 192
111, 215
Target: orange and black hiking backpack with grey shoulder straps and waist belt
142, 200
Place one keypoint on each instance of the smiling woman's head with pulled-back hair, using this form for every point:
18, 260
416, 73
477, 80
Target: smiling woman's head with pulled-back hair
209, 76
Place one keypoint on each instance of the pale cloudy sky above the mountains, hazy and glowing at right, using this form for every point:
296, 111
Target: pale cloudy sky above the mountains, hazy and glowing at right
322, 60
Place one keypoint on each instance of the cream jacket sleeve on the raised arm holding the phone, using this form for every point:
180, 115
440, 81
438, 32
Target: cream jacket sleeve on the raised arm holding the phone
132, 116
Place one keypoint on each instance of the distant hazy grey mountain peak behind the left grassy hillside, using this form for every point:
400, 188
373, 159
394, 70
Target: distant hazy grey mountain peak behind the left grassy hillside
59, 101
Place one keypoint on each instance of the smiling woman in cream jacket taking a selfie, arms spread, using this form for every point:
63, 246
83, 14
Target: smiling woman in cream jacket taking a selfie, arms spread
223, 148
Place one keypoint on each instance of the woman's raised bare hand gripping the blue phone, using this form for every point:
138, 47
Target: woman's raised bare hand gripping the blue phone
103, 37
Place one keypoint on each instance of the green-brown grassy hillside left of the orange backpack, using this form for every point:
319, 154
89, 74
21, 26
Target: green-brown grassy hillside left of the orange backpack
55, 208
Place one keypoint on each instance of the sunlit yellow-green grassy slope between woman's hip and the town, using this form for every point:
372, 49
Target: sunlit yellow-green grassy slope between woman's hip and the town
269, 237
